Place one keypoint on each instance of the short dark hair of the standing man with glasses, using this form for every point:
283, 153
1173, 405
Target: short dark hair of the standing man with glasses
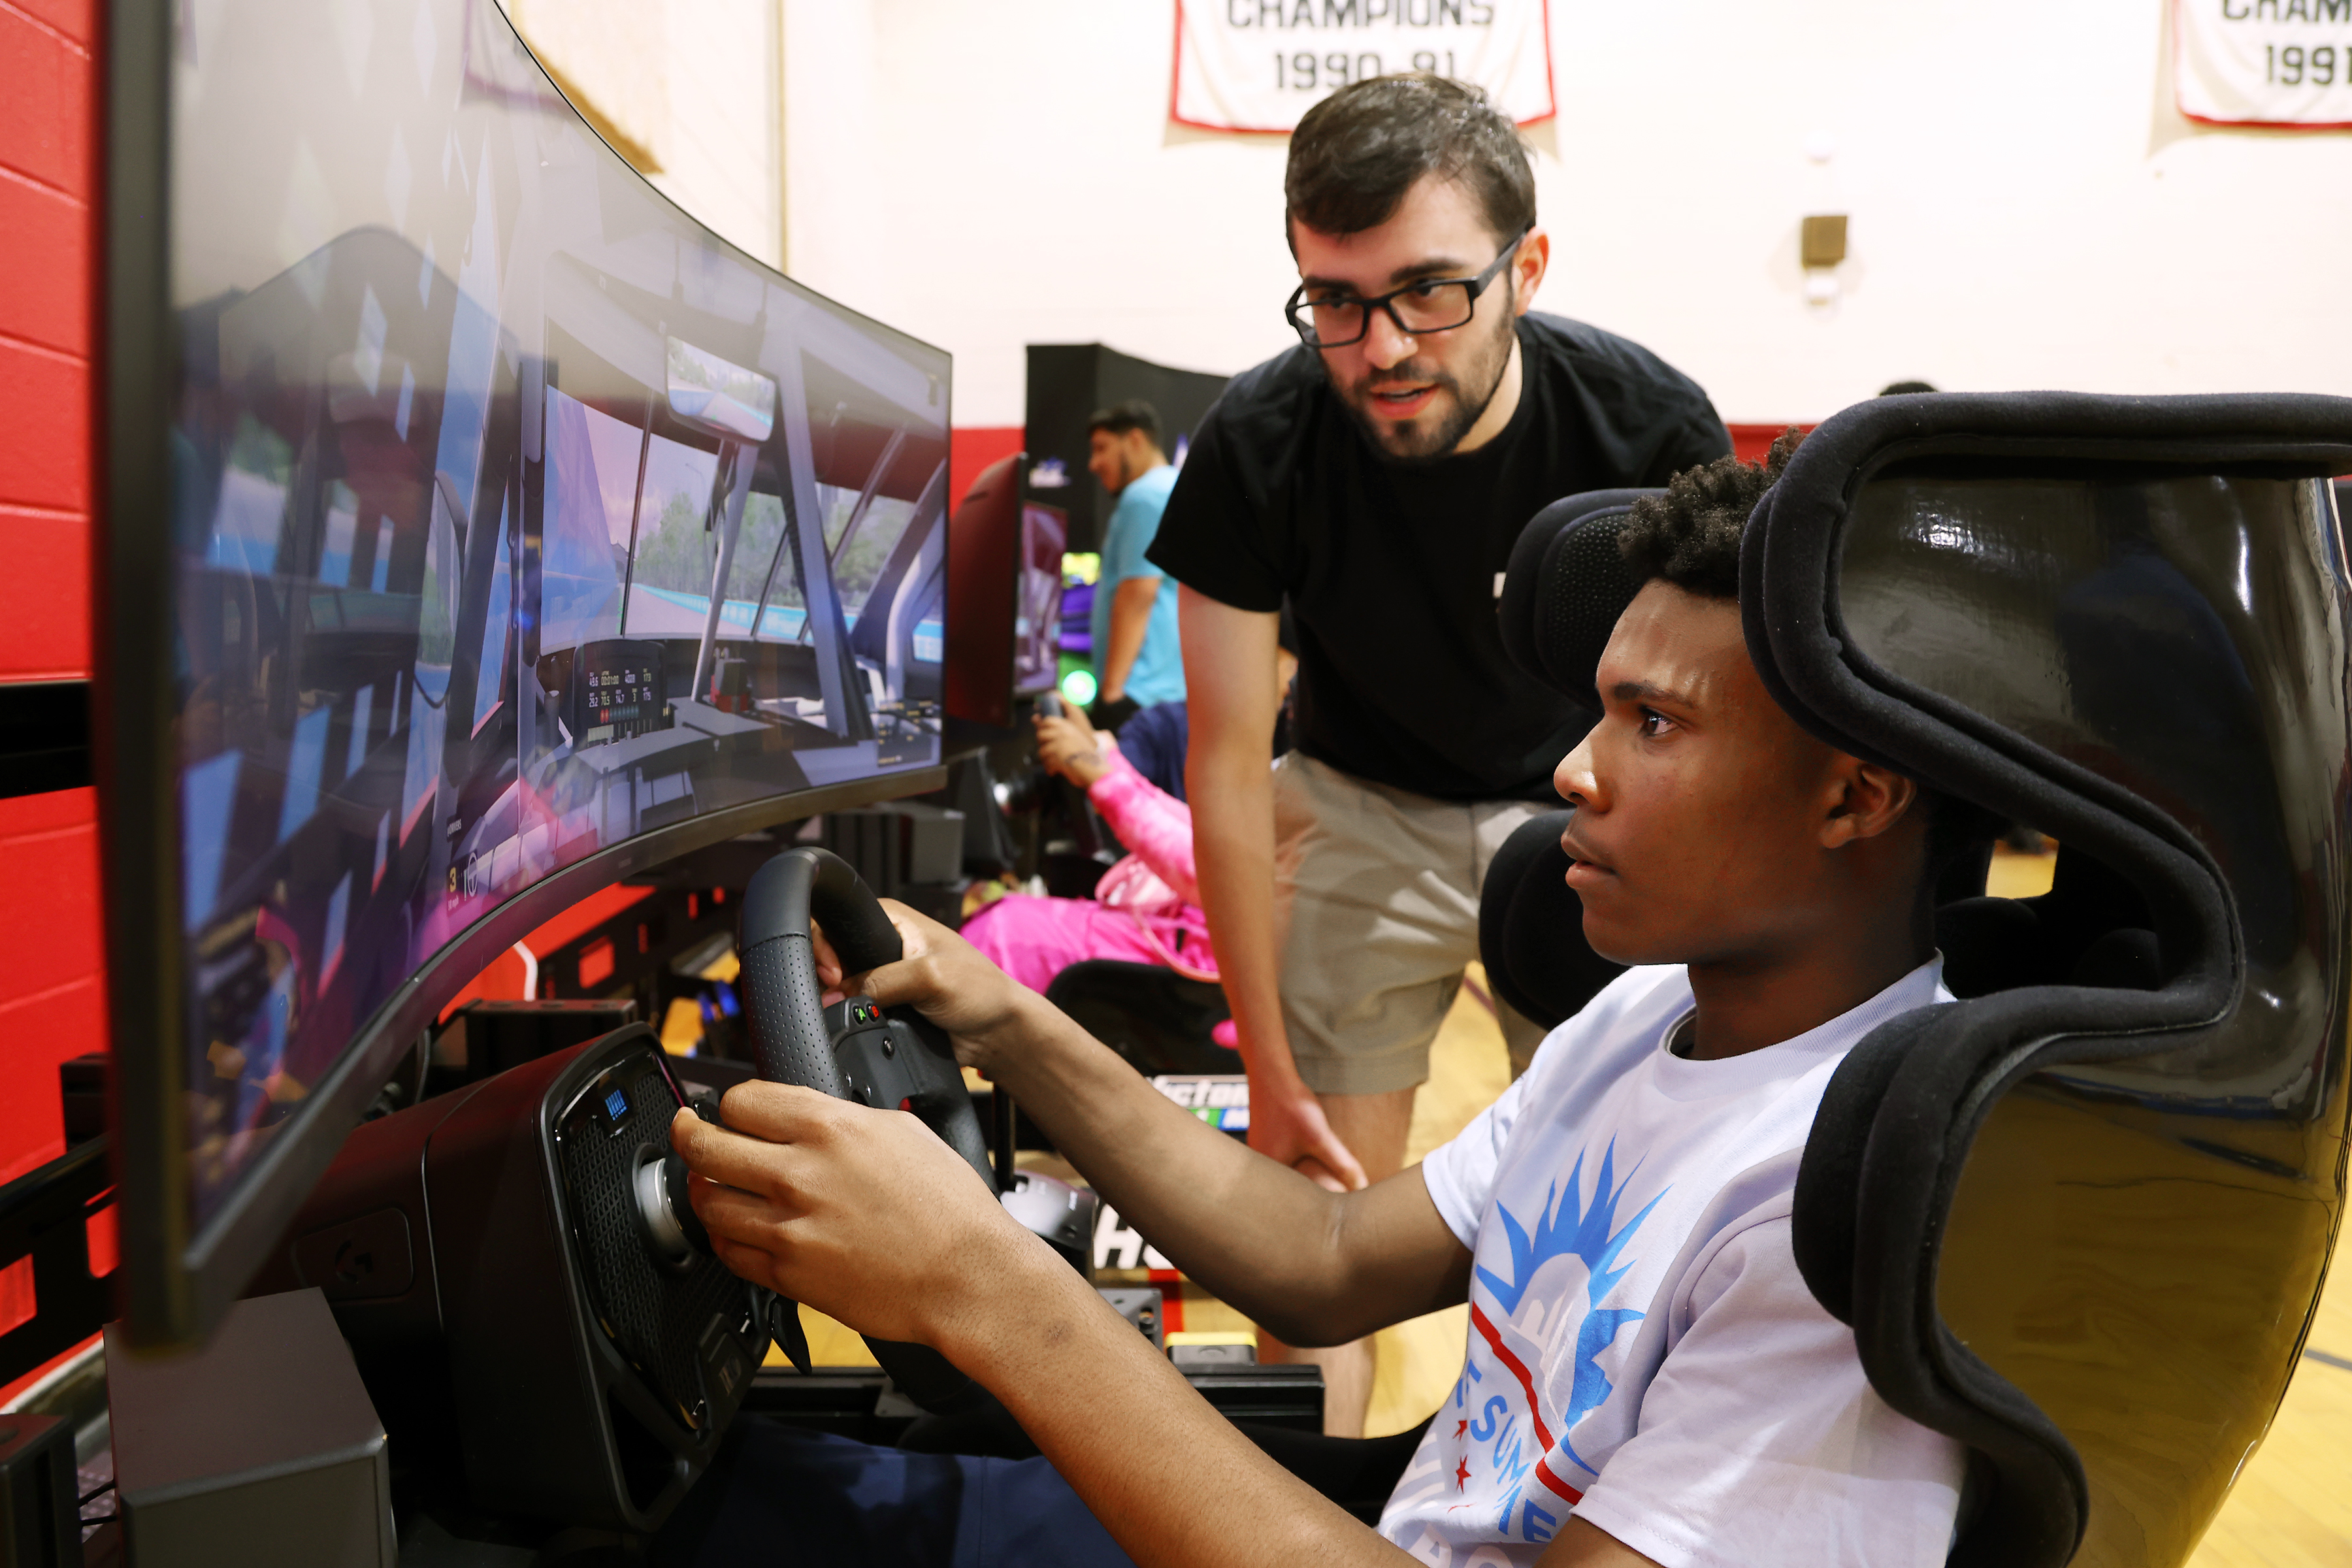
1358, 152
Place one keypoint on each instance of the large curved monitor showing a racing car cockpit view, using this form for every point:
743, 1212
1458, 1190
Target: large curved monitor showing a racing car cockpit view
479, 530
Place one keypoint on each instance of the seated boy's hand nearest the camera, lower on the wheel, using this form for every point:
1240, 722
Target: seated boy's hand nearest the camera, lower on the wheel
862, 1214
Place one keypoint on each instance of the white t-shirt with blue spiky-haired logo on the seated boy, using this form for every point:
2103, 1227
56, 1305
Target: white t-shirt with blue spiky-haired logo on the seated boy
1643, 1351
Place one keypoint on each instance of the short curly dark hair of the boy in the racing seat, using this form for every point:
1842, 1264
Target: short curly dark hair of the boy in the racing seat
1692, 540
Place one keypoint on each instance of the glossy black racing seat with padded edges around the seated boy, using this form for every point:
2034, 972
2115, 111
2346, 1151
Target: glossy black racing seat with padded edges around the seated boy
2078, 1219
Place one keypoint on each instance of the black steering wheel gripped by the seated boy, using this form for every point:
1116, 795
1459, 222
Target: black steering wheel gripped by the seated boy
853, 1050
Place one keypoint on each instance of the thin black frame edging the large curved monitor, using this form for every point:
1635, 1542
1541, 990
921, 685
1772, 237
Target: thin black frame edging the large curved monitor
178, 1278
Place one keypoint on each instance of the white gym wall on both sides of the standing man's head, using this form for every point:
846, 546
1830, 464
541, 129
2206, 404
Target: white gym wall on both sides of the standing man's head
2029, 210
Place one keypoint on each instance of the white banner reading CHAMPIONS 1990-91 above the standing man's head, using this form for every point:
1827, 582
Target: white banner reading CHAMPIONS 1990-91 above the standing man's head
1259, 65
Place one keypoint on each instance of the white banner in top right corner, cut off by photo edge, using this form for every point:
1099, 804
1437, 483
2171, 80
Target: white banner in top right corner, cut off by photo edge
2264, 62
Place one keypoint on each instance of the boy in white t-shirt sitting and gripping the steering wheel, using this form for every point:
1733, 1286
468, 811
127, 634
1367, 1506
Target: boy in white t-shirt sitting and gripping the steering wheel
1648, 1376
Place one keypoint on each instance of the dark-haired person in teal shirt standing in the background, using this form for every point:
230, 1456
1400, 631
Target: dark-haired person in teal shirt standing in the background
1137, 659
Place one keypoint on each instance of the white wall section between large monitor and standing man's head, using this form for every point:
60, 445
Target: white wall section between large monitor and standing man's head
1005, 175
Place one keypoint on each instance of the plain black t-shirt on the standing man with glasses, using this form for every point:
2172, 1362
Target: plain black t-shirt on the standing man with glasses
1394, 572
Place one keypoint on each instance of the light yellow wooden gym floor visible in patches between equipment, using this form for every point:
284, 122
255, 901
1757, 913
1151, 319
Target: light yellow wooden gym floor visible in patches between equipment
2292, 1506
